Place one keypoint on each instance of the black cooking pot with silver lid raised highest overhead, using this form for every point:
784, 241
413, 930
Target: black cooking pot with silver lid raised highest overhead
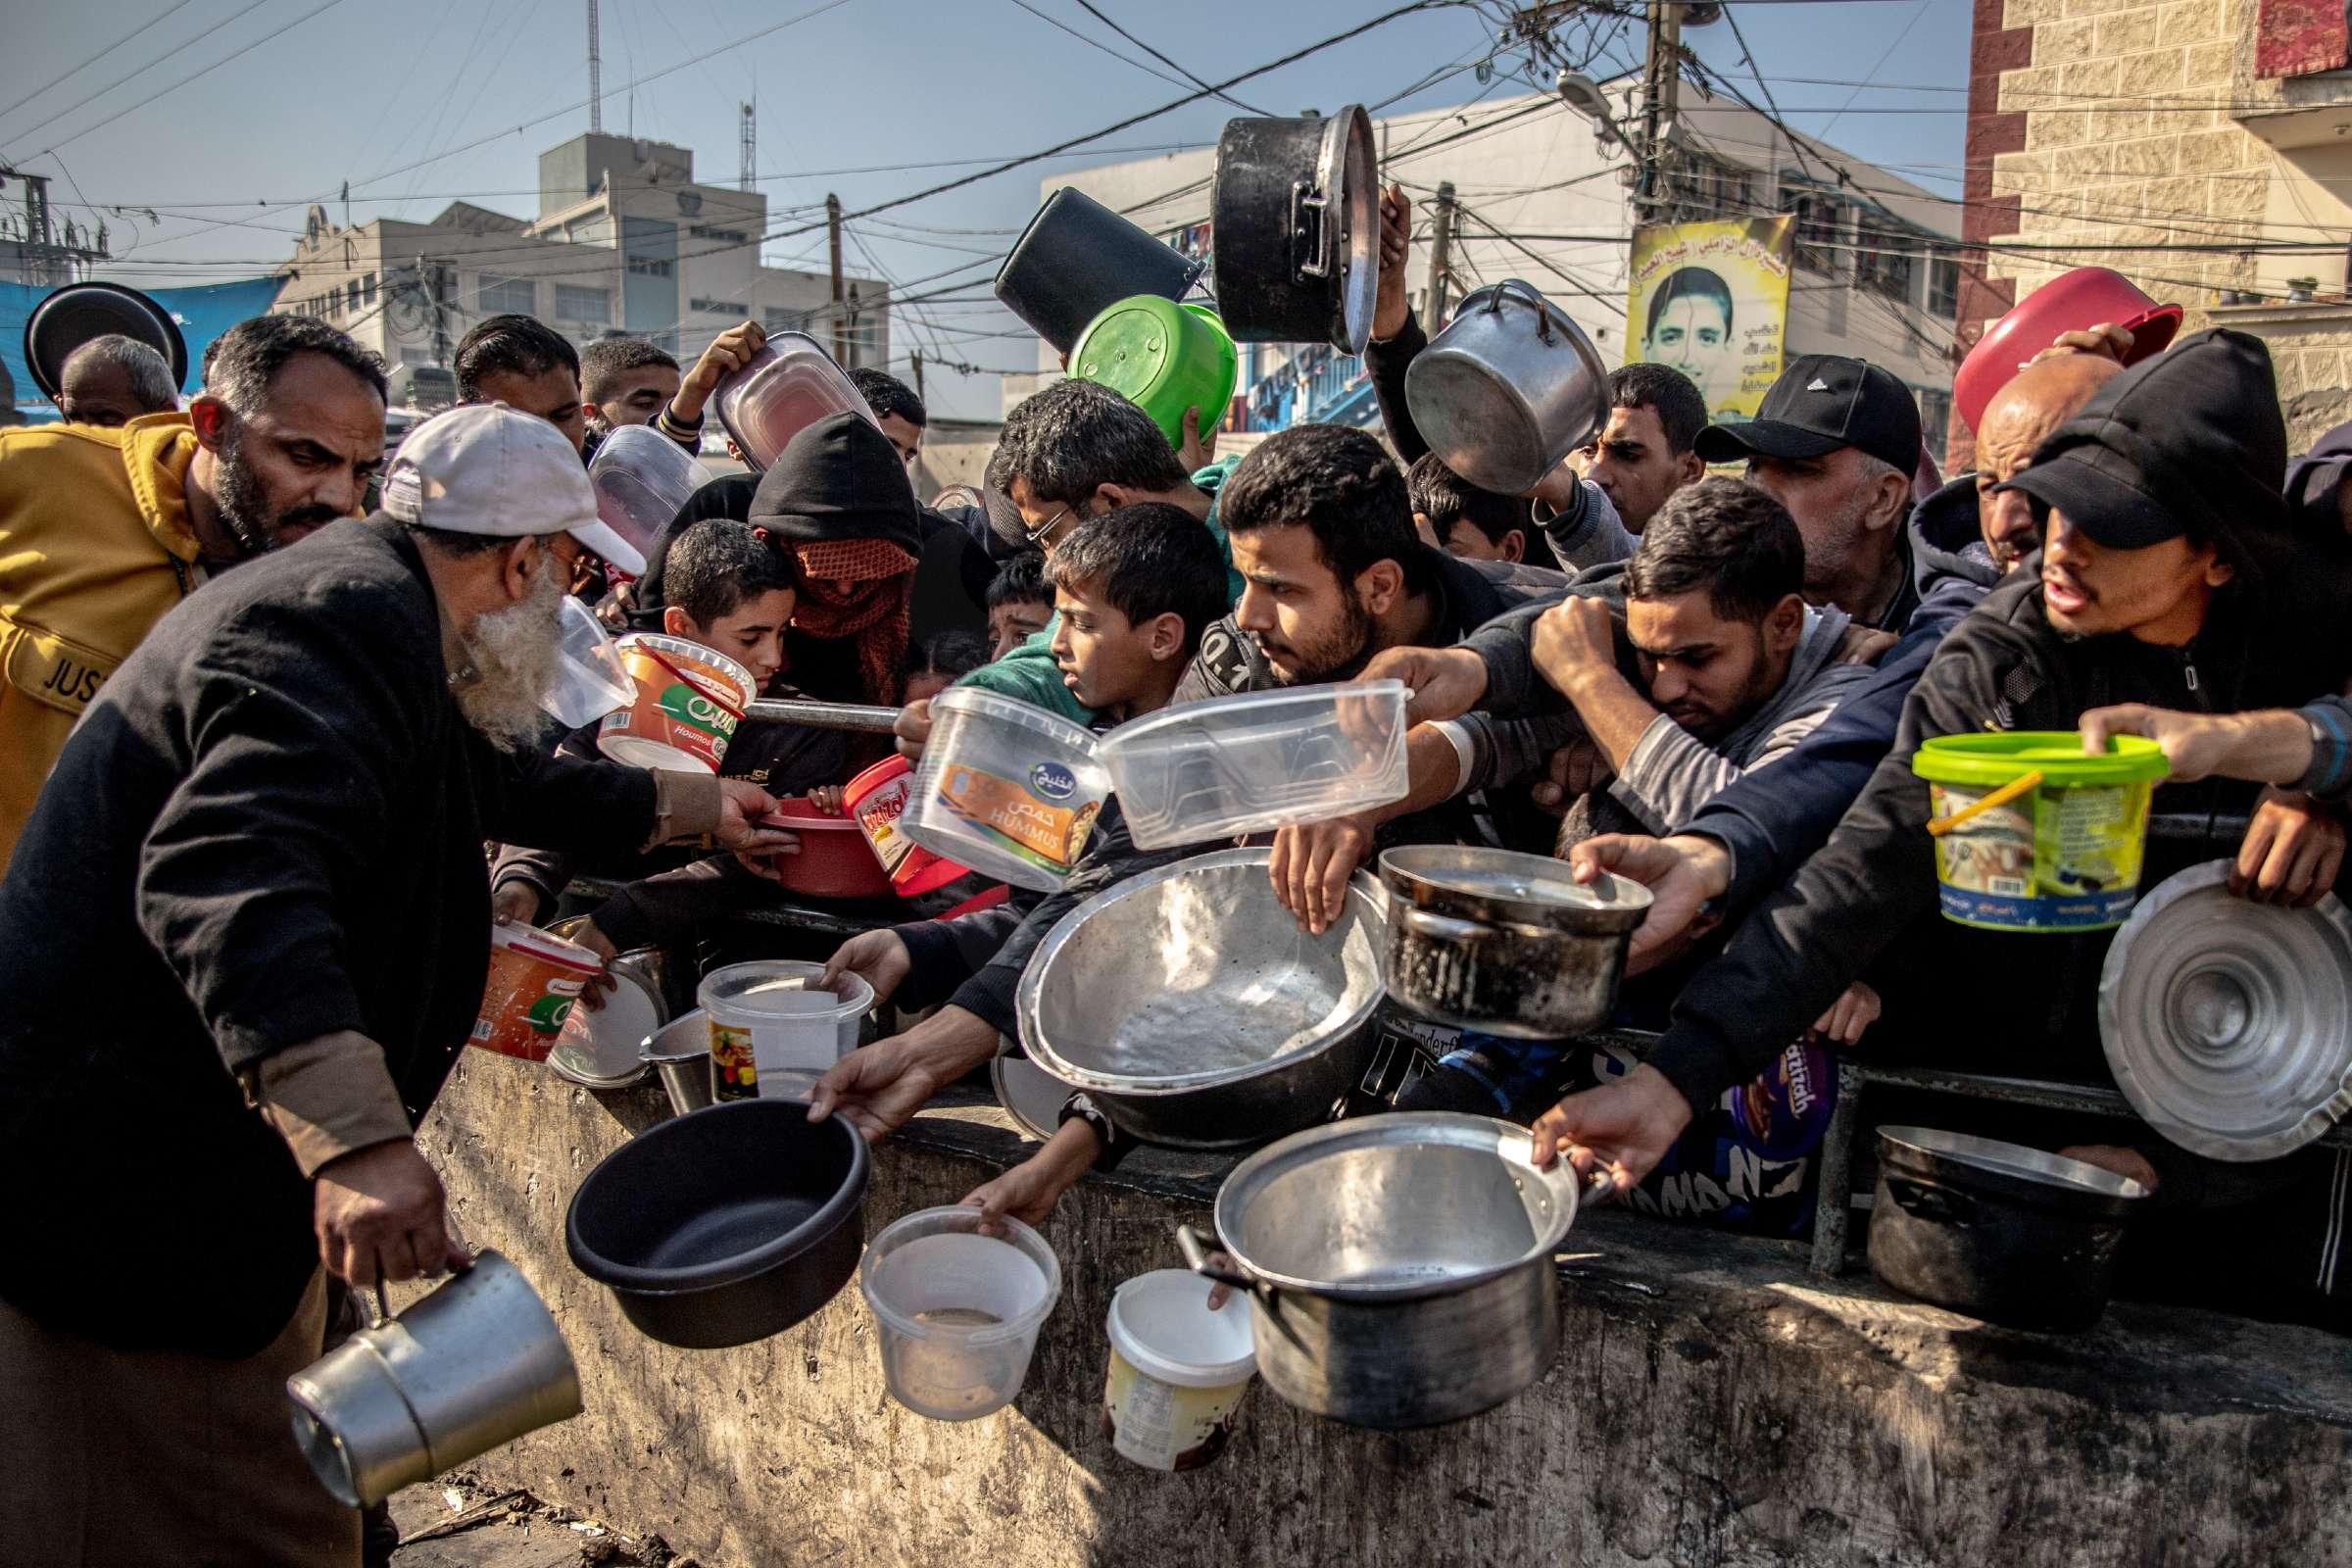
1295, 229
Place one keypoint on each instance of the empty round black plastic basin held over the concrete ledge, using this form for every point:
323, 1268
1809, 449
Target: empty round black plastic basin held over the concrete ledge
726, 1226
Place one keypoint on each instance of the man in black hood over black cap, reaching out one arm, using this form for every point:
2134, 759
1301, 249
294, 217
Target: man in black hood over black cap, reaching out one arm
2170, 577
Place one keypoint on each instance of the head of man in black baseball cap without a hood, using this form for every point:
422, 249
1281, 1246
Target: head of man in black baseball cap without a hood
1836, 441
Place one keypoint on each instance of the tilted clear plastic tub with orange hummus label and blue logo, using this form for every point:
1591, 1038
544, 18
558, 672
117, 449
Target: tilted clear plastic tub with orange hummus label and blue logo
1005, 789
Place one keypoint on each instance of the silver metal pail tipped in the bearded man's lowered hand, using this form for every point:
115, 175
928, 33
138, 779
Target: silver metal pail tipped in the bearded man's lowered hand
474, 1365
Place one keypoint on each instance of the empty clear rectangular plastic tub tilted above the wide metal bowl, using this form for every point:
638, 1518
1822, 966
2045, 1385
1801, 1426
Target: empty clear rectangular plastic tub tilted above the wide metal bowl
1259, 760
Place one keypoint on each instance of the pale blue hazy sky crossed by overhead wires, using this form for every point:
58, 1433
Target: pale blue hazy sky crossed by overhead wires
420, 105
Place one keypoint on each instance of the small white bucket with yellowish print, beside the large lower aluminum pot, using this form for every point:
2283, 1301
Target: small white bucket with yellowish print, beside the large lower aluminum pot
1177, 1369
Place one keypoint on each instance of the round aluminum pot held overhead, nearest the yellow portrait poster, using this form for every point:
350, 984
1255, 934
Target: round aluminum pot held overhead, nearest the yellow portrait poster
1509, 389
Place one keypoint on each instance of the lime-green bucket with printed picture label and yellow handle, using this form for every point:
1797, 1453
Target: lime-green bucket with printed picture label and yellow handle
2064, 855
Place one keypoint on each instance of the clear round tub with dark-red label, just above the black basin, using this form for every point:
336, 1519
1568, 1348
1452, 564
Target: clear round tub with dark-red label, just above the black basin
773, 1031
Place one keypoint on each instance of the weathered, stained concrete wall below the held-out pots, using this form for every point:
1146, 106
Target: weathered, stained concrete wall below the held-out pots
1711, 1407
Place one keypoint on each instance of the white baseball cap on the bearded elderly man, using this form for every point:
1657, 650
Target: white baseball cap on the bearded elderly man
495, 471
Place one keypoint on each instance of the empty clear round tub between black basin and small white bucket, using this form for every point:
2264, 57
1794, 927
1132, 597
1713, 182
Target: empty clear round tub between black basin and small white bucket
958, 1313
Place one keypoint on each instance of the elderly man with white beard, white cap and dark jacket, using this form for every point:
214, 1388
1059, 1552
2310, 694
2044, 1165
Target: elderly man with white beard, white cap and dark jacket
241, 944
